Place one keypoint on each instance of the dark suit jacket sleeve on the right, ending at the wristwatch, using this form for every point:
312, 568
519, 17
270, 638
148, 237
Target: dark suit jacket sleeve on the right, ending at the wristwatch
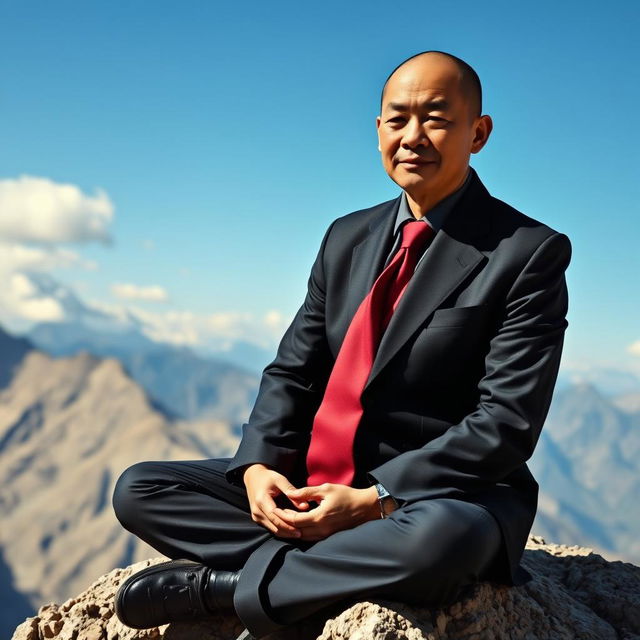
514, 394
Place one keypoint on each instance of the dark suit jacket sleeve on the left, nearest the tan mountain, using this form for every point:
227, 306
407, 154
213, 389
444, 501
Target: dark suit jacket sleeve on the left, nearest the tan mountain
291, 387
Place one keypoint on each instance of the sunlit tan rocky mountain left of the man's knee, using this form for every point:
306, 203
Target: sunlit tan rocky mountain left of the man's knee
68, 428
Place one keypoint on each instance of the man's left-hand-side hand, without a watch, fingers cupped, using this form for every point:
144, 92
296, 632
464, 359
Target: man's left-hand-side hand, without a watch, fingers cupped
263, 484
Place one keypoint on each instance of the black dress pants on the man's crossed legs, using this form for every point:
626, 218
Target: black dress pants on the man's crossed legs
425, 552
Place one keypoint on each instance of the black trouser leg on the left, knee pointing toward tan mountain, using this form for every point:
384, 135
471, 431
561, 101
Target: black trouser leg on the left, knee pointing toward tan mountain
187, 509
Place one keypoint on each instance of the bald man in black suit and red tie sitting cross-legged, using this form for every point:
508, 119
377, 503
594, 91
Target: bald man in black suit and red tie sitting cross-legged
386, 452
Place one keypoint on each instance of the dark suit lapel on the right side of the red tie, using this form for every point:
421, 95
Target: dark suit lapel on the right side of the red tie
450, 259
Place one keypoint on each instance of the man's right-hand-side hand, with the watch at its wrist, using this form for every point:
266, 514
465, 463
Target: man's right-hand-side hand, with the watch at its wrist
340, 507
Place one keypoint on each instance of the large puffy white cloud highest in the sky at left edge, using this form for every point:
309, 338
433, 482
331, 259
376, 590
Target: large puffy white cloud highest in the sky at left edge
39, 210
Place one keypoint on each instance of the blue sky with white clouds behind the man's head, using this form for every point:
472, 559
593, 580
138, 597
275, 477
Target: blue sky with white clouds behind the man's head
224, 139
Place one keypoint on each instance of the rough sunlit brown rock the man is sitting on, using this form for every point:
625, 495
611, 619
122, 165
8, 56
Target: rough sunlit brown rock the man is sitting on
574, 594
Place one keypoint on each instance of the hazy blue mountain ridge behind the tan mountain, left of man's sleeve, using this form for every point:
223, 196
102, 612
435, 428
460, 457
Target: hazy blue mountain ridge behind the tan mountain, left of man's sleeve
185, 384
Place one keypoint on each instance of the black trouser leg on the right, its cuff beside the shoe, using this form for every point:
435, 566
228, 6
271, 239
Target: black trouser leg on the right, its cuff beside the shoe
424, 553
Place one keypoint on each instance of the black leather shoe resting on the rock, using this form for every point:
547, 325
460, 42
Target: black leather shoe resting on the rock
173, 591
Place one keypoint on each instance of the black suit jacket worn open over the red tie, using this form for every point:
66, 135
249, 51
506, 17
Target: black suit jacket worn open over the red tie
464, 374
